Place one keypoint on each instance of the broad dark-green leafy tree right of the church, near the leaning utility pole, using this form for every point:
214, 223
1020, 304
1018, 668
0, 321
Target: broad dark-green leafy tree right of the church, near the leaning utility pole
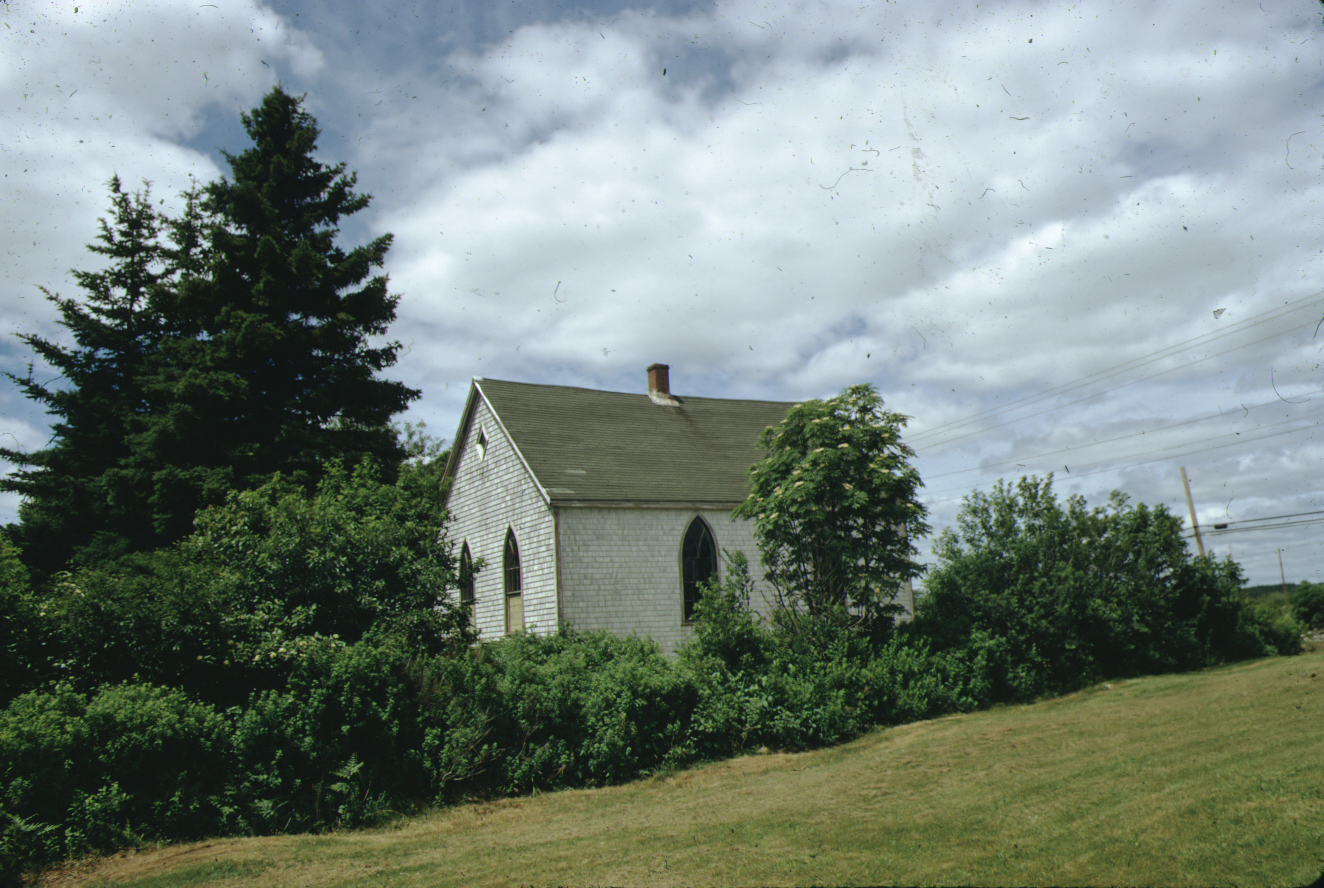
1055, 596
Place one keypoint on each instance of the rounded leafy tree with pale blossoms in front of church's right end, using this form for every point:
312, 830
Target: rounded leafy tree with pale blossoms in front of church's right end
835, 506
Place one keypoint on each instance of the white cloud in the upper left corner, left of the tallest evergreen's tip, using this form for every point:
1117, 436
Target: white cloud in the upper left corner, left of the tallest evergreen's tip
103, 88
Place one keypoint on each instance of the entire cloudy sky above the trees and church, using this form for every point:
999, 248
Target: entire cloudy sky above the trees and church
1082, 239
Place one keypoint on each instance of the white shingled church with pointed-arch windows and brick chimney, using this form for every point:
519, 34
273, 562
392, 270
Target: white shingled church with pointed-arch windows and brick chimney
603, 510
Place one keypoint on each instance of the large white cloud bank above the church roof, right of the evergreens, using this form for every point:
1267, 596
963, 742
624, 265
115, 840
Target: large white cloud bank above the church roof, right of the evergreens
943, 206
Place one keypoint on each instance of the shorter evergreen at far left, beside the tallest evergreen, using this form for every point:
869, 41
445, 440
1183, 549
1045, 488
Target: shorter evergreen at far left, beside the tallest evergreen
73, 496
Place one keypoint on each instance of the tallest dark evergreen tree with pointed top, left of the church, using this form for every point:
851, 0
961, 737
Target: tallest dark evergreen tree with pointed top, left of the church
272, 369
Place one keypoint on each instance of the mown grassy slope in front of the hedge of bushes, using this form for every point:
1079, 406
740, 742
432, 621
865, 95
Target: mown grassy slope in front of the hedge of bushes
1187, 780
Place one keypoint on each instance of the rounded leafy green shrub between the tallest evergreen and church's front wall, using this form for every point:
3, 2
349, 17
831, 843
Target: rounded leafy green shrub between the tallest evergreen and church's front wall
330, 564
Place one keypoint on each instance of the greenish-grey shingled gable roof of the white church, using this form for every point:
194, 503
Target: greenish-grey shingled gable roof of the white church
590, 447
